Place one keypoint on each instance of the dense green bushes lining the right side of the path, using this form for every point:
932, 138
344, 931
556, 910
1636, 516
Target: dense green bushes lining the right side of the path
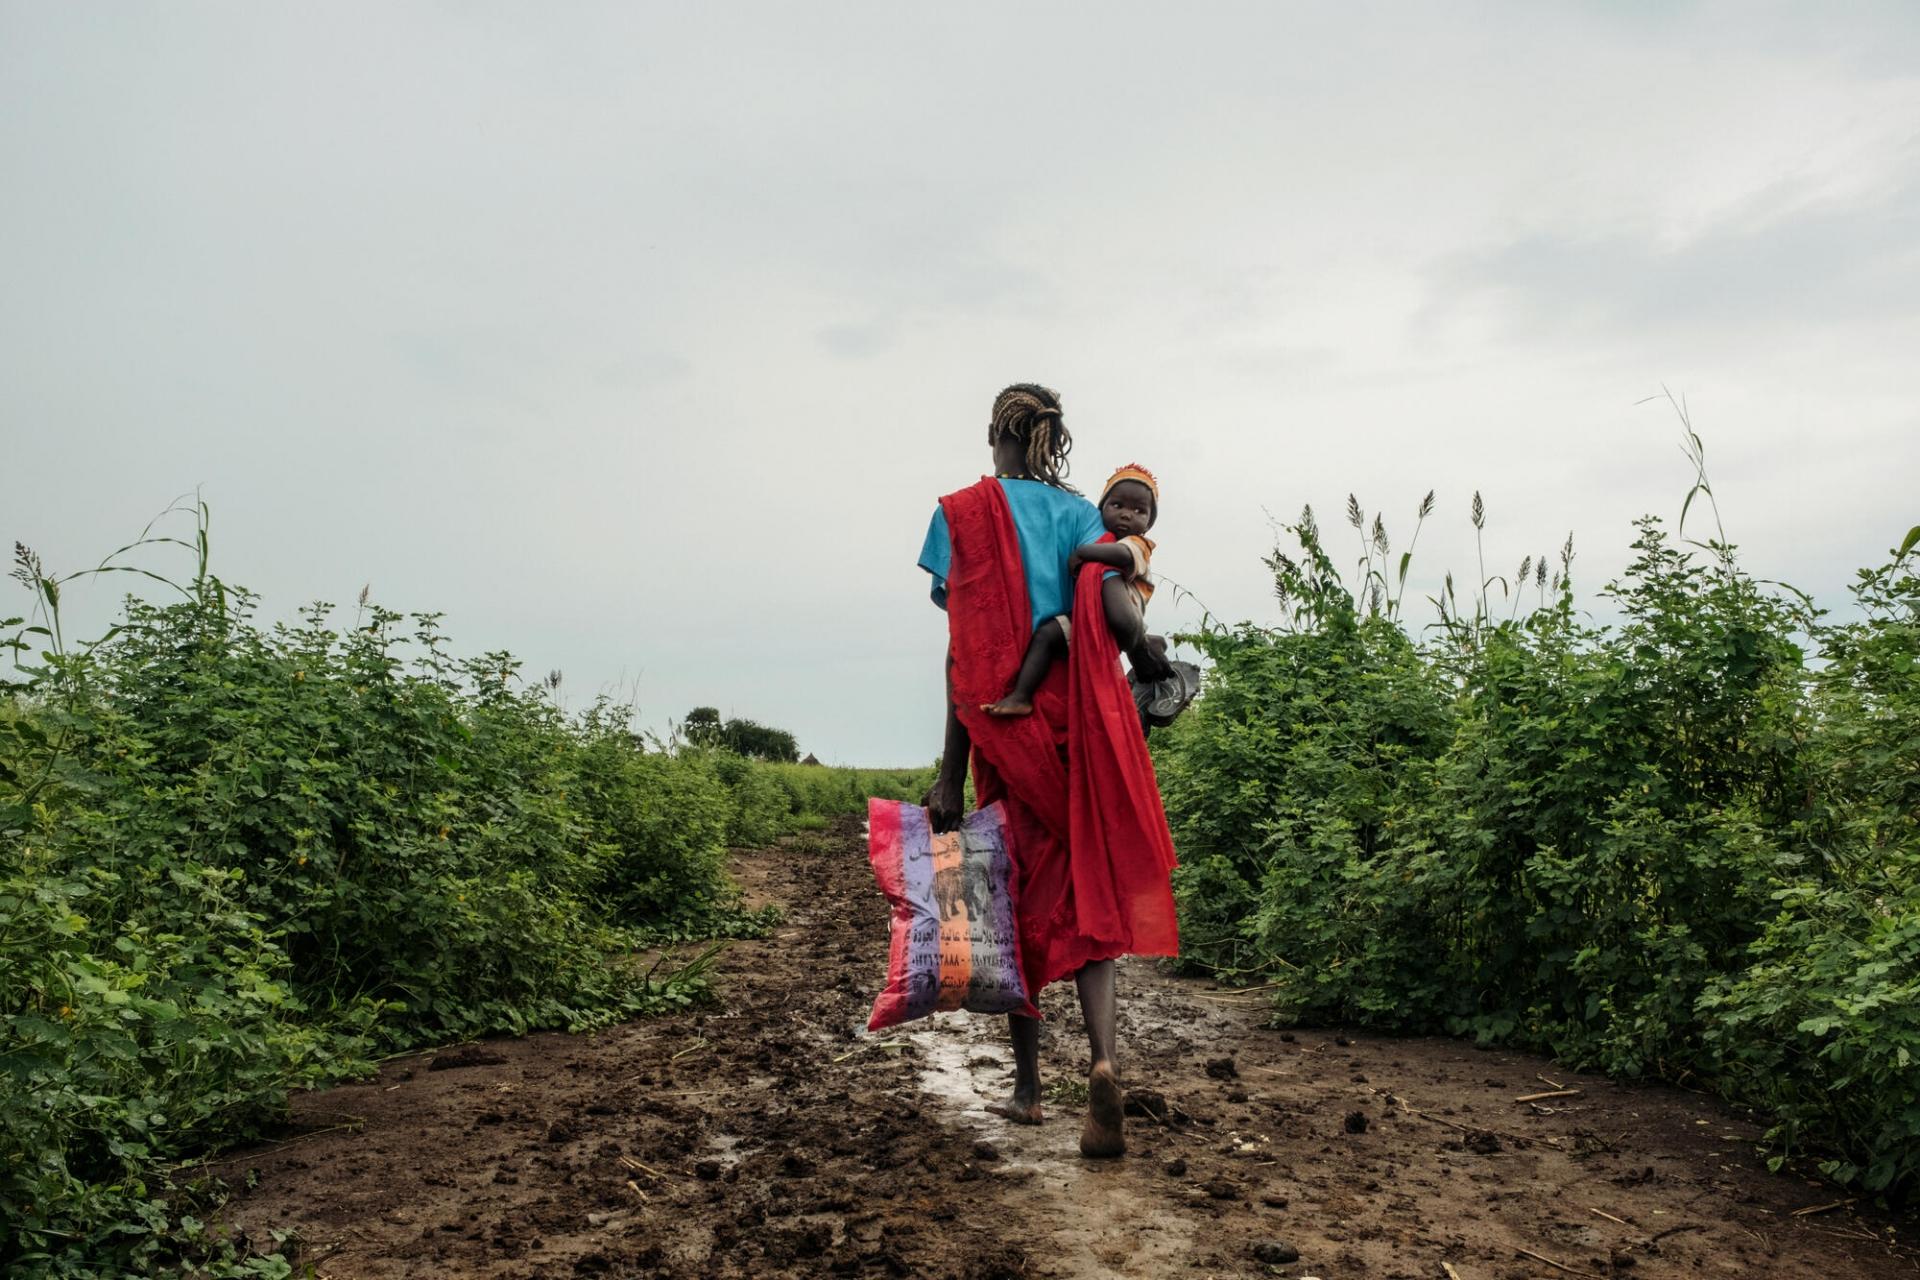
1671, 847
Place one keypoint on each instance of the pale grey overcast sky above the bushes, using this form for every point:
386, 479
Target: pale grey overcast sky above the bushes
642, 339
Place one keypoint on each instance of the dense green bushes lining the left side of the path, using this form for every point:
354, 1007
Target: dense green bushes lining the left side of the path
241, 861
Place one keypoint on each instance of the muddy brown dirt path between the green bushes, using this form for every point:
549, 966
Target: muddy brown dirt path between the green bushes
773, 1137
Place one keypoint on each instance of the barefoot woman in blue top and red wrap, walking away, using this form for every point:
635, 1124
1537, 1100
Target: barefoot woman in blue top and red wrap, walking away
1090, 838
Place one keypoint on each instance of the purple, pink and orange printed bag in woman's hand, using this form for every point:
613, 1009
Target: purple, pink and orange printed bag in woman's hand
955, 934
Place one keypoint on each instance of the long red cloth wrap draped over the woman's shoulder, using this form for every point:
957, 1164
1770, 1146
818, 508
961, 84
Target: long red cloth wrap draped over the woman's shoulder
1074, 774
